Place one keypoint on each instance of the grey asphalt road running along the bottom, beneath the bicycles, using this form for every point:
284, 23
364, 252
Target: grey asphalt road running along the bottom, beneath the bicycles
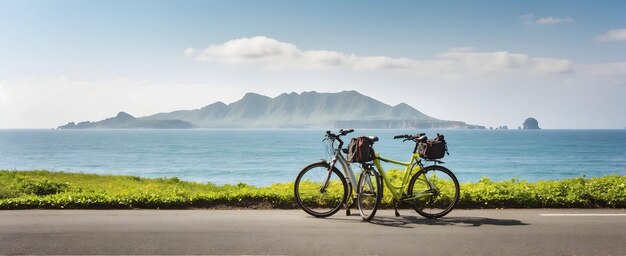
463, 232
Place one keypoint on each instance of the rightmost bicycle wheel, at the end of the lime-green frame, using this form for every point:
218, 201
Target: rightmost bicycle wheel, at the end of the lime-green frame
436, 190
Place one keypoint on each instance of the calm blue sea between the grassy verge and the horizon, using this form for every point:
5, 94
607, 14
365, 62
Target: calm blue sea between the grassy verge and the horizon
263, 157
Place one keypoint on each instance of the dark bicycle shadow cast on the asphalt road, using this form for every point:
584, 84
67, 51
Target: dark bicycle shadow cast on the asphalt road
406, 221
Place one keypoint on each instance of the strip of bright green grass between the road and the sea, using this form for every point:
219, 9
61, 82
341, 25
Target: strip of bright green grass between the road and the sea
60, 190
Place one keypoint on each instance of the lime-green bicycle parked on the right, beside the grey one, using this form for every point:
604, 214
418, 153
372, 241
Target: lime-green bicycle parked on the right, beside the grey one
432, 190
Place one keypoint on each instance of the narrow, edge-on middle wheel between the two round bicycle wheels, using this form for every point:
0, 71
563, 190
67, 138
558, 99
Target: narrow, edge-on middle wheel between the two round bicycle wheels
370, 192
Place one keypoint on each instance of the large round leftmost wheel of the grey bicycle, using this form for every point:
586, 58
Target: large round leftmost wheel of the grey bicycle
315, 199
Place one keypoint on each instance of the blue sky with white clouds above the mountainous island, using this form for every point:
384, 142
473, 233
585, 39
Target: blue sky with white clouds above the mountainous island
529, 58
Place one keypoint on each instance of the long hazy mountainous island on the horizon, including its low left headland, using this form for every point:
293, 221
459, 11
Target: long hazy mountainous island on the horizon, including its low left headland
293, 110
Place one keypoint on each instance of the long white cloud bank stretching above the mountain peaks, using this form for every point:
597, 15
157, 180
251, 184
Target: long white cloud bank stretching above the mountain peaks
275, 55
